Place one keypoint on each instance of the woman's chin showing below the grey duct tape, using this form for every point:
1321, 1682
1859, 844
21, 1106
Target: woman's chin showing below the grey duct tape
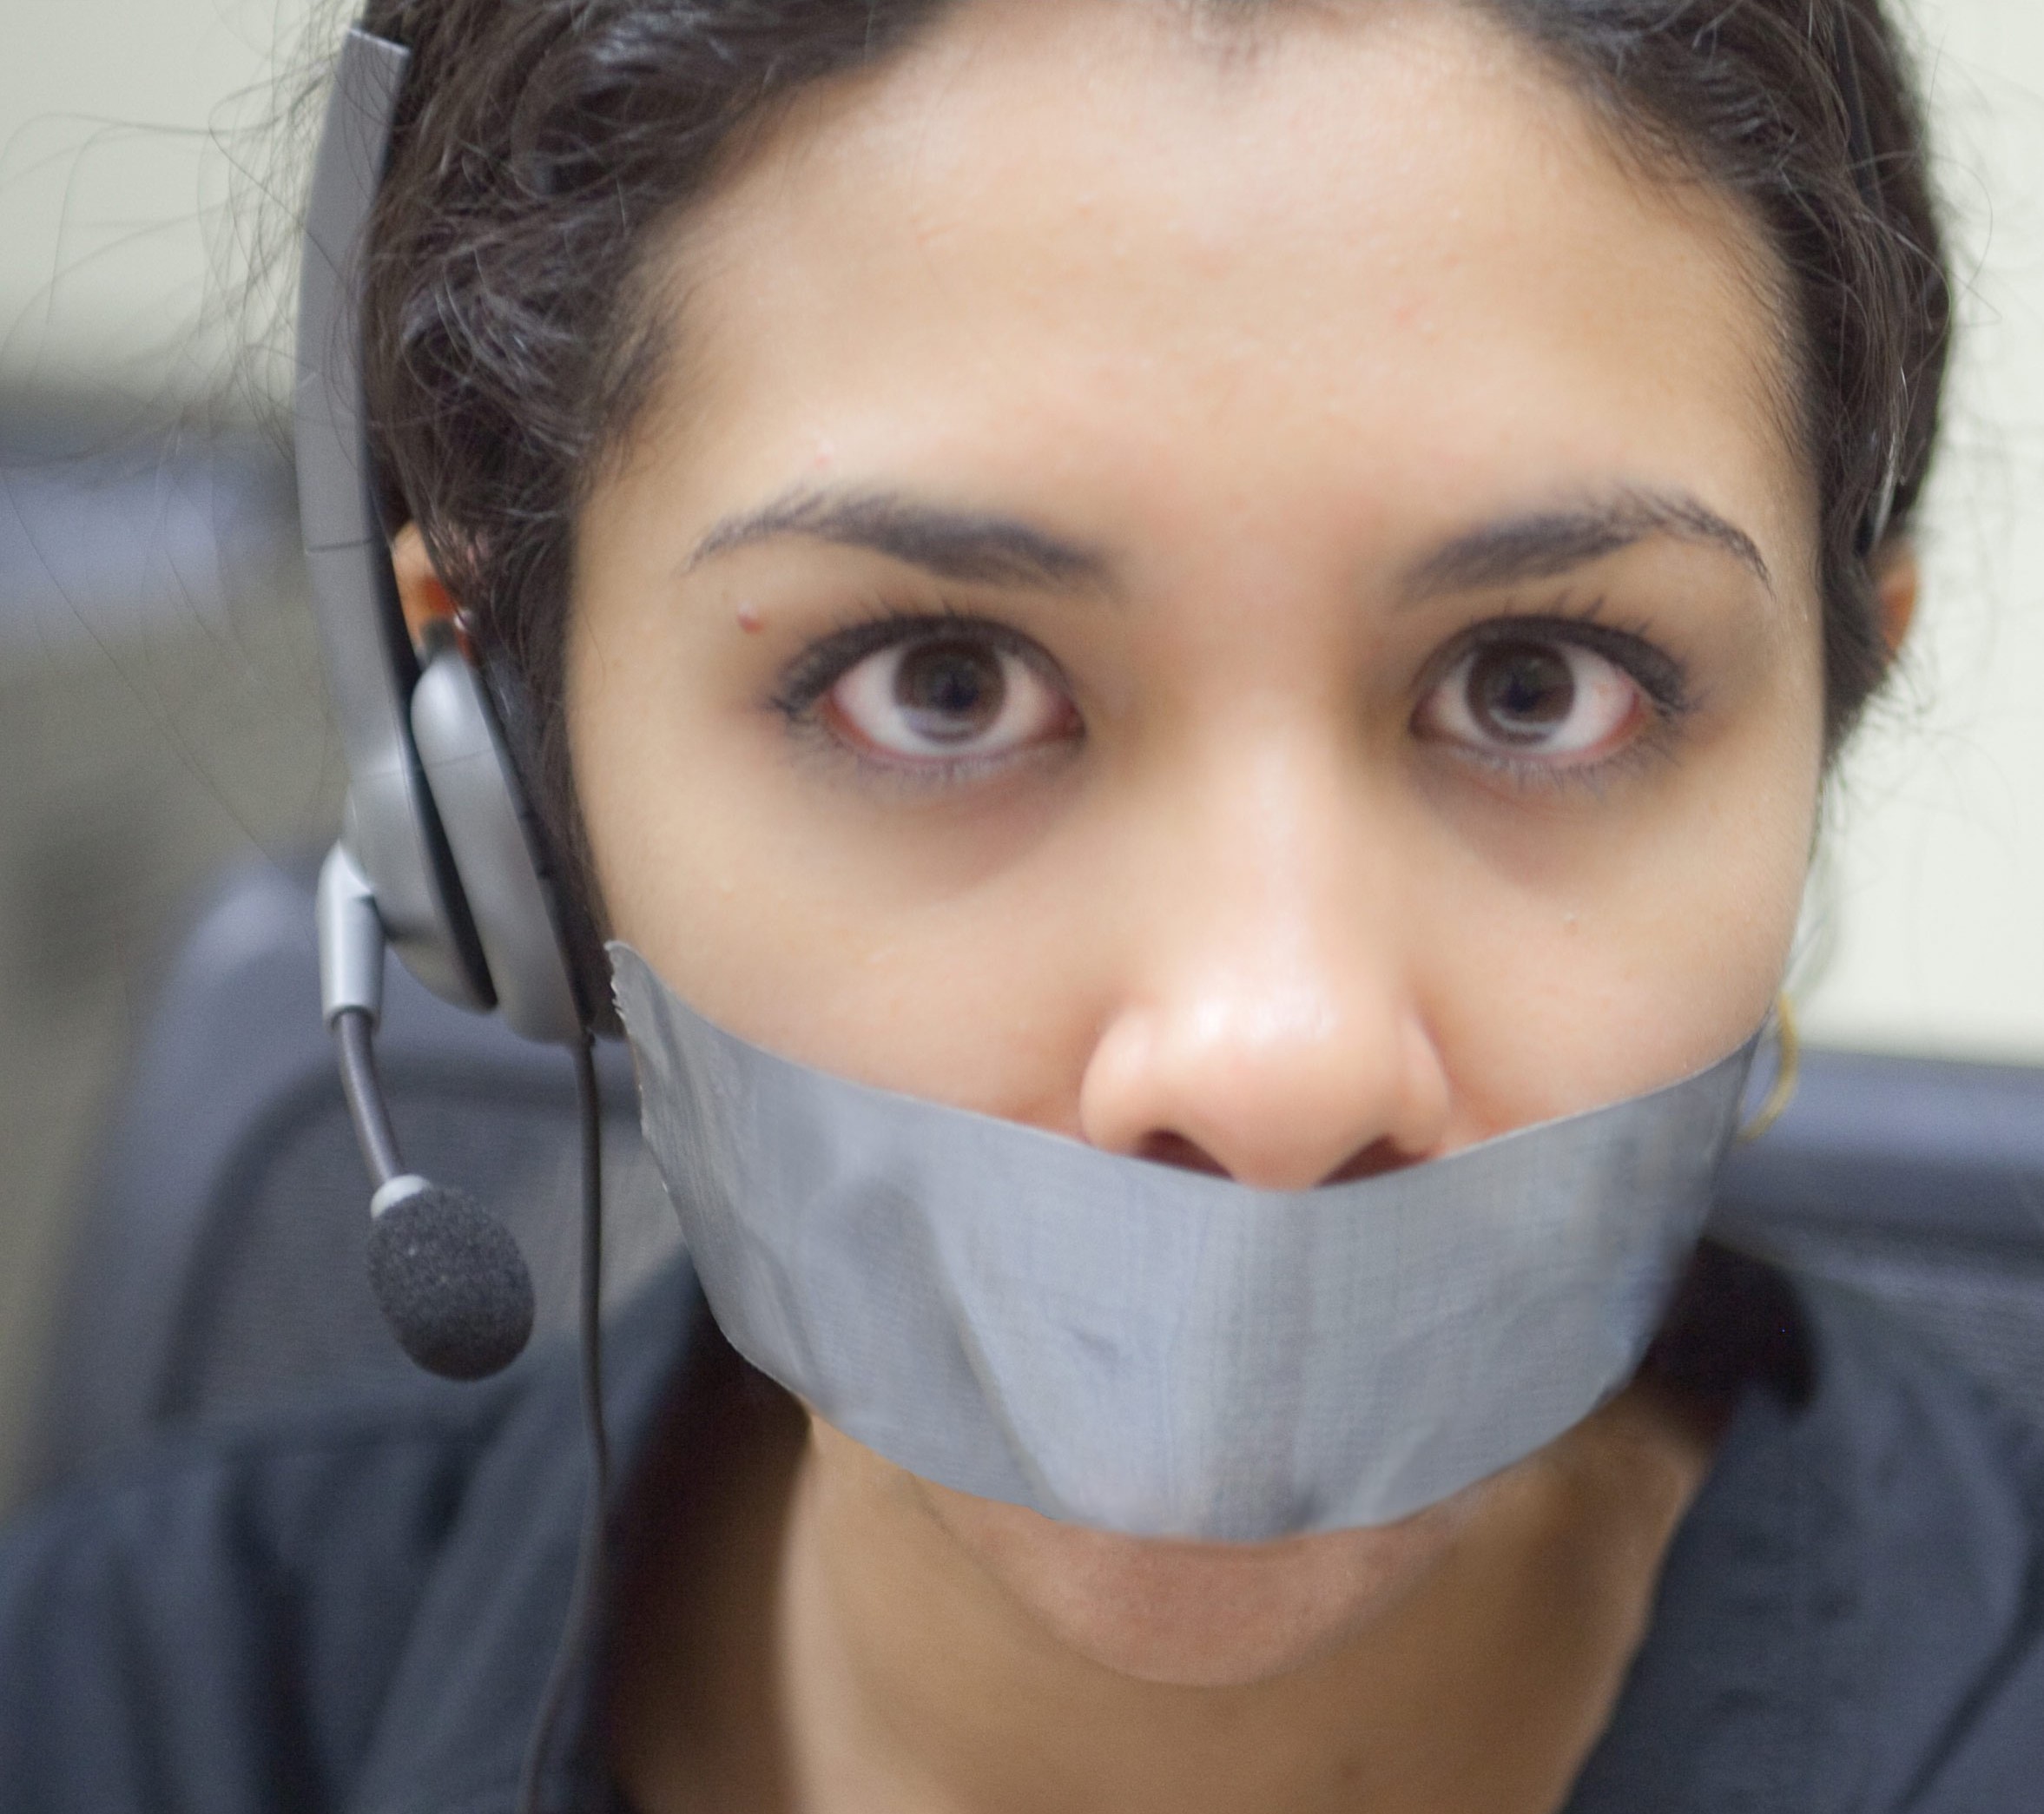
1199, 1615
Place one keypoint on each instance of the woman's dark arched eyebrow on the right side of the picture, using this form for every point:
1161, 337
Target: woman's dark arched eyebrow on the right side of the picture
1548, 545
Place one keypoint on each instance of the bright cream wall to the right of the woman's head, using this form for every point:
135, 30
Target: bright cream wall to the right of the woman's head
1933, 913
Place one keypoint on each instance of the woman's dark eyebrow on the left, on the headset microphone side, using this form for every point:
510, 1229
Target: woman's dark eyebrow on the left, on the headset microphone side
960, 545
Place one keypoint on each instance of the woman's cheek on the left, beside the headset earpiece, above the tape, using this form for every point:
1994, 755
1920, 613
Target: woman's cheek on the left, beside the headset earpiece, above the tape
841, 929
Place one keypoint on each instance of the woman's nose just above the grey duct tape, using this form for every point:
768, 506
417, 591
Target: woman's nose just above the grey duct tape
1268, 1024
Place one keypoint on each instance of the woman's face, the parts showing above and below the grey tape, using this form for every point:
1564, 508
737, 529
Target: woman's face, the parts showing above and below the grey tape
1238, 592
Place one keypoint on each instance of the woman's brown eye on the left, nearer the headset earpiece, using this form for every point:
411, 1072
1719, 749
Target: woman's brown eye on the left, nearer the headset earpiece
947, 698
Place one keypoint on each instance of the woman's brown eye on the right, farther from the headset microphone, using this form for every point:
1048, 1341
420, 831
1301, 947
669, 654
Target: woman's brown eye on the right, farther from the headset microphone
1540, 700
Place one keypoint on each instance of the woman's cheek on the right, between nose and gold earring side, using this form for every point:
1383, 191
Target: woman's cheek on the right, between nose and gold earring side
1565, 972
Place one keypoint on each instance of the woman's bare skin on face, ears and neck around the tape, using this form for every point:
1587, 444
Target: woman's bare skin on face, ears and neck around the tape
1258, 322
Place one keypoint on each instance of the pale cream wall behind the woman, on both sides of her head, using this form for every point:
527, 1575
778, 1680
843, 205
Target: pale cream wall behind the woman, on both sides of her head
124, 126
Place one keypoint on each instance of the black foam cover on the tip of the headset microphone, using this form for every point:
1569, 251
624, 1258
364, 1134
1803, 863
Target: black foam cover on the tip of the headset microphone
451, 1283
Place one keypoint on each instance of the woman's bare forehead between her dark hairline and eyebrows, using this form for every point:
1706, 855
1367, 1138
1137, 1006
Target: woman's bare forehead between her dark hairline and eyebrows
1373, 257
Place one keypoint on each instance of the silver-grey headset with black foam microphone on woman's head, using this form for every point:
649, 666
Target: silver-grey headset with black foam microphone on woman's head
440, 858
